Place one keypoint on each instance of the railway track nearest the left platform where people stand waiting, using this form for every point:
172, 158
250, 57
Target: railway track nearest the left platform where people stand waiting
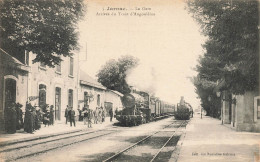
26, 149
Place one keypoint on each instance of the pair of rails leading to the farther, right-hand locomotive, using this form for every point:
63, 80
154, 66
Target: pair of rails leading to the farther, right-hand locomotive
117, 155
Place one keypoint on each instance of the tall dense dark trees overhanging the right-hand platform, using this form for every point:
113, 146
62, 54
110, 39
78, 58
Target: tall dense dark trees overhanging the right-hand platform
231, 51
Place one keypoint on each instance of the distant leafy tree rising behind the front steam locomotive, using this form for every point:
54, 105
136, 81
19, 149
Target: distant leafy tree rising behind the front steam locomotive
113, 73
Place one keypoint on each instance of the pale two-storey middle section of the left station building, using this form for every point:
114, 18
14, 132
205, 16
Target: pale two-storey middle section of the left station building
56, 86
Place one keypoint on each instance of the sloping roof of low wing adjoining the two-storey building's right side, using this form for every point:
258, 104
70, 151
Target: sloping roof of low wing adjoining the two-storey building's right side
85, 79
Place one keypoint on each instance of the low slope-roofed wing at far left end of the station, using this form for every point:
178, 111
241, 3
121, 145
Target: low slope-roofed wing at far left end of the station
13, 83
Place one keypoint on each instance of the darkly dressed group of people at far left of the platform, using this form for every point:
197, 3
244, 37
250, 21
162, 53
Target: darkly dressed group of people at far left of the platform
30, 121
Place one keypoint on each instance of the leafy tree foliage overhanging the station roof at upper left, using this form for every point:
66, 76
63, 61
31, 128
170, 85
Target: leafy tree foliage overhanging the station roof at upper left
46, 28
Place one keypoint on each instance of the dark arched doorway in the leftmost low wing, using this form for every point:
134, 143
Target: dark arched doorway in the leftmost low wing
10, 91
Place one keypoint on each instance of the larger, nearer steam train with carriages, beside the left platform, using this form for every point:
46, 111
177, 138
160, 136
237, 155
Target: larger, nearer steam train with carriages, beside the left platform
140, 107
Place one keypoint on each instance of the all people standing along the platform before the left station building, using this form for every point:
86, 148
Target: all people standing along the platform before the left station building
34, 116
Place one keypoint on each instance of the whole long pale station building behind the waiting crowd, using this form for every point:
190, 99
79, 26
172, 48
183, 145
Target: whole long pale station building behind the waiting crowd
22, 80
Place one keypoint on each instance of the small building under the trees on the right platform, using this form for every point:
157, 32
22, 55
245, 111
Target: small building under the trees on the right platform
240, 112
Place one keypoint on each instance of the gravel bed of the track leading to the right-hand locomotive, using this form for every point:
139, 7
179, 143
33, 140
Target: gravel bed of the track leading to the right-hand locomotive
145, 150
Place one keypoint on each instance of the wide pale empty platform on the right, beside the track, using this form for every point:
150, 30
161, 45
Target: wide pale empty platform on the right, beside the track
206, 140
